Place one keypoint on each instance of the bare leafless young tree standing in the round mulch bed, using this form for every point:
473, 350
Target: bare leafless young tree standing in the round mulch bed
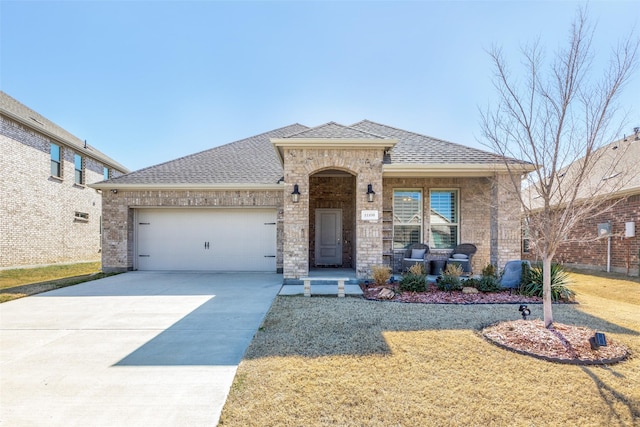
558, 117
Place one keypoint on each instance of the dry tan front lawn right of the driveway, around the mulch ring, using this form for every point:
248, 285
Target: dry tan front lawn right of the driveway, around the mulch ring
351, 362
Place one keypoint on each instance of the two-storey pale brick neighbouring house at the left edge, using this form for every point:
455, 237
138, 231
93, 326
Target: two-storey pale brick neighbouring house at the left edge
48, 214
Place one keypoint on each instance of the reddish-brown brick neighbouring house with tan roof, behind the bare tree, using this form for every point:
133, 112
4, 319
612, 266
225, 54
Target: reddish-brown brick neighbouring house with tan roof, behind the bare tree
618, 251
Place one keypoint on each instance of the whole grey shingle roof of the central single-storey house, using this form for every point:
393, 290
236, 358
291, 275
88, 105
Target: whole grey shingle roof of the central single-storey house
254, 160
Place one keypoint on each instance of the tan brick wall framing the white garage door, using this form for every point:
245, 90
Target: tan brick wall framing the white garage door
118, 212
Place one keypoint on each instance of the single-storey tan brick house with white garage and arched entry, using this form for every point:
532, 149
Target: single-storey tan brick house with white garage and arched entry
299, 198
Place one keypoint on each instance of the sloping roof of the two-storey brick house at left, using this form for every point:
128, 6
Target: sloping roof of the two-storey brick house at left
19, 112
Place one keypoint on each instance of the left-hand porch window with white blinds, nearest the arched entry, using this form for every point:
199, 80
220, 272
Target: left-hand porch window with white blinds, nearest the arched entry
407, 218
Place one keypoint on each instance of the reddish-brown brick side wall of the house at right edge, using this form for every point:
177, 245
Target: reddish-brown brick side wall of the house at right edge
591, 252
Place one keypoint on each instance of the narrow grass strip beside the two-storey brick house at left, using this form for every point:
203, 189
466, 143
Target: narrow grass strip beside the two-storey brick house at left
21, 282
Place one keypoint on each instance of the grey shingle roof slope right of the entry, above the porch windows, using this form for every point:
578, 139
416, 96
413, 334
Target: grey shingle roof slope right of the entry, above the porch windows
415, 151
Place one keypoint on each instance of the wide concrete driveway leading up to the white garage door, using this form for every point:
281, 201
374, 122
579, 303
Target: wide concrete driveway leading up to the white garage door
136, 349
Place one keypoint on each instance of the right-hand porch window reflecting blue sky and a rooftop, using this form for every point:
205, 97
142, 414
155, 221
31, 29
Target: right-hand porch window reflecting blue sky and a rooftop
444, 227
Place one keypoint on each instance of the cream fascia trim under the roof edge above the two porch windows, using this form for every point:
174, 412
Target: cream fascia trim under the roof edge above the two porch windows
451, 170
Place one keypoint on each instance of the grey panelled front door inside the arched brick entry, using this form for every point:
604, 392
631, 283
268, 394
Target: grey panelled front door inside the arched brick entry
328, 237
